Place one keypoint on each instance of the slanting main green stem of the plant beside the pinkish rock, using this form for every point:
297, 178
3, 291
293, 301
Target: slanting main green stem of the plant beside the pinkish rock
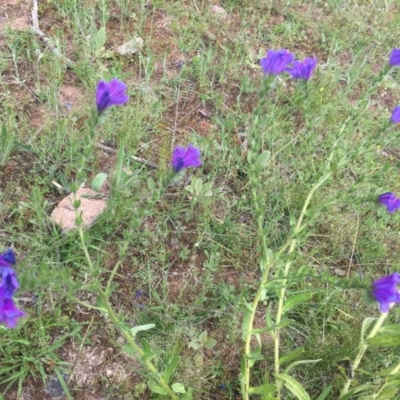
114, 318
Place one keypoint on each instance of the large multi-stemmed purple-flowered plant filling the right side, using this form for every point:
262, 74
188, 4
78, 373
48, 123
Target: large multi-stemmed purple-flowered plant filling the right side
383, 291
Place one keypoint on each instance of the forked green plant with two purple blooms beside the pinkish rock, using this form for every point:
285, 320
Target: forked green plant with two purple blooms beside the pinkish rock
110, 94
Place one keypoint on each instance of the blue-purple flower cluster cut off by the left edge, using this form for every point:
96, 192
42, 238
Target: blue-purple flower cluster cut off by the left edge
9, 312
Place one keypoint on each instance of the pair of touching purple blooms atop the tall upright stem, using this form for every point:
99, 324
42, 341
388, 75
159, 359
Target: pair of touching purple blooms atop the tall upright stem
278, 61
